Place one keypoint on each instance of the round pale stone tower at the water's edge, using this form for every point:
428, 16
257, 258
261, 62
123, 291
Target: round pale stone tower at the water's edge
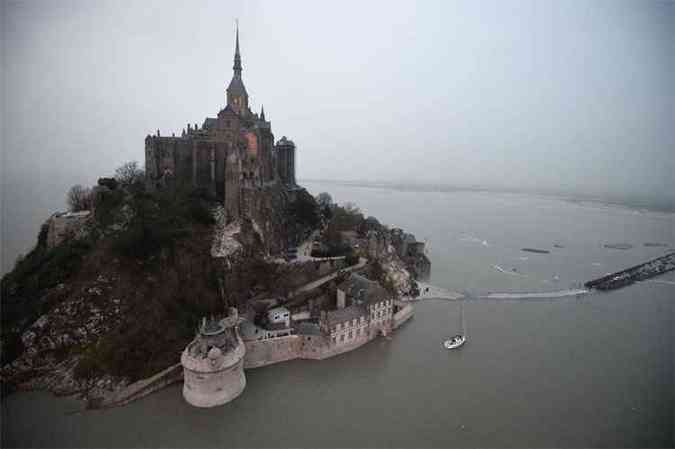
213, 364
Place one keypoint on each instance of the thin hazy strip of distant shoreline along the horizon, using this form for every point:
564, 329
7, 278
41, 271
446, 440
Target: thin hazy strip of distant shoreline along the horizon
663, 206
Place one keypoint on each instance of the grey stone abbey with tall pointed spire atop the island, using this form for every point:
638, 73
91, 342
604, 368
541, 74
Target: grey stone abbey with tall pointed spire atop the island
227, 155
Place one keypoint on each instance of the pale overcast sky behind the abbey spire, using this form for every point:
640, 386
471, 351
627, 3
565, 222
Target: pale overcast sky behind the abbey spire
565, 94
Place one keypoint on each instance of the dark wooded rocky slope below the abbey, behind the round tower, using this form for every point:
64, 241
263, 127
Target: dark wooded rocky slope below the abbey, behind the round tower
114, 299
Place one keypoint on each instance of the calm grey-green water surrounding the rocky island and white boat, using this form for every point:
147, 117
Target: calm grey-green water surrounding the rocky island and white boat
596, 371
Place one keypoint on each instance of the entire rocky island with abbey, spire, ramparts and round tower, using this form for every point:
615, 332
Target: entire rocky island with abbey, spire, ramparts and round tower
209, 261
